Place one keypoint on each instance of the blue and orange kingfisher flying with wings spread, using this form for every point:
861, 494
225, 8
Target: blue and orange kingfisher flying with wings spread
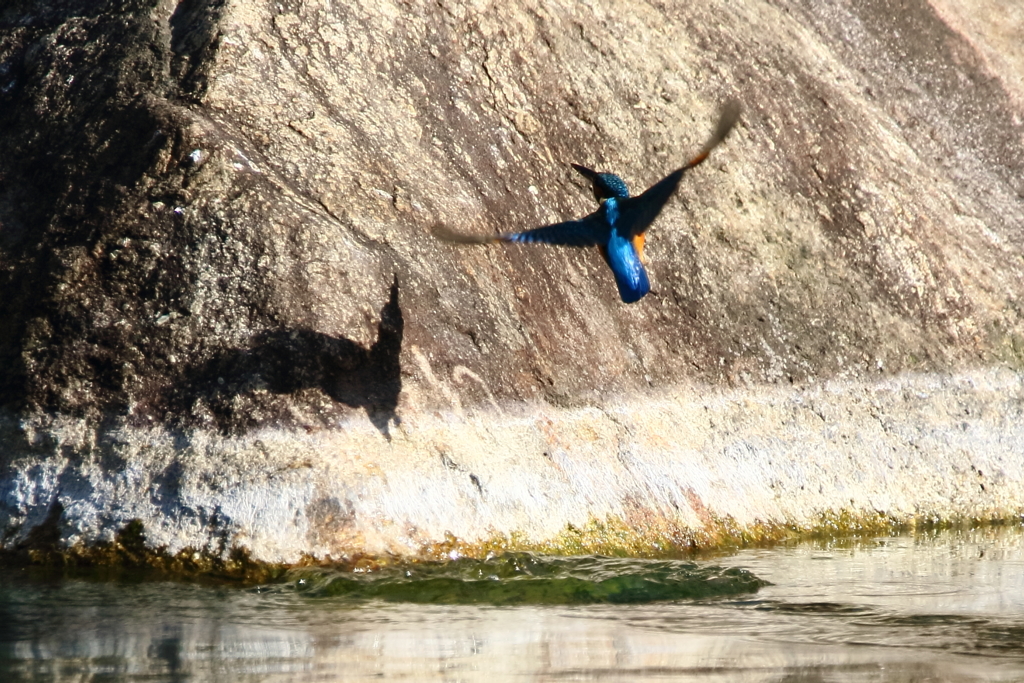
620, 225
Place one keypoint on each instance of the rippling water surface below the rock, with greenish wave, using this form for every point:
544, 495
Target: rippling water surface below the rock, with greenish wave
946, 607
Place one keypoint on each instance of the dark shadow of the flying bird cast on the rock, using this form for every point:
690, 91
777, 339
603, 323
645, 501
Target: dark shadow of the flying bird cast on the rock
230, 389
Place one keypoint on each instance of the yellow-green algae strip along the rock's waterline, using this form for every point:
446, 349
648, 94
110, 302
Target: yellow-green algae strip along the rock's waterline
131, 556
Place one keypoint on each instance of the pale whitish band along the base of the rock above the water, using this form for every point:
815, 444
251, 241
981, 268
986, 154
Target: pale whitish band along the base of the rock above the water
651, 476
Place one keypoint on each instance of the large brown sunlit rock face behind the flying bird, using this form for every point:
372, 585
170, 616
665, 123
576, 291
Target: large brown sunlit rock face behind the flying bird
216, 236
